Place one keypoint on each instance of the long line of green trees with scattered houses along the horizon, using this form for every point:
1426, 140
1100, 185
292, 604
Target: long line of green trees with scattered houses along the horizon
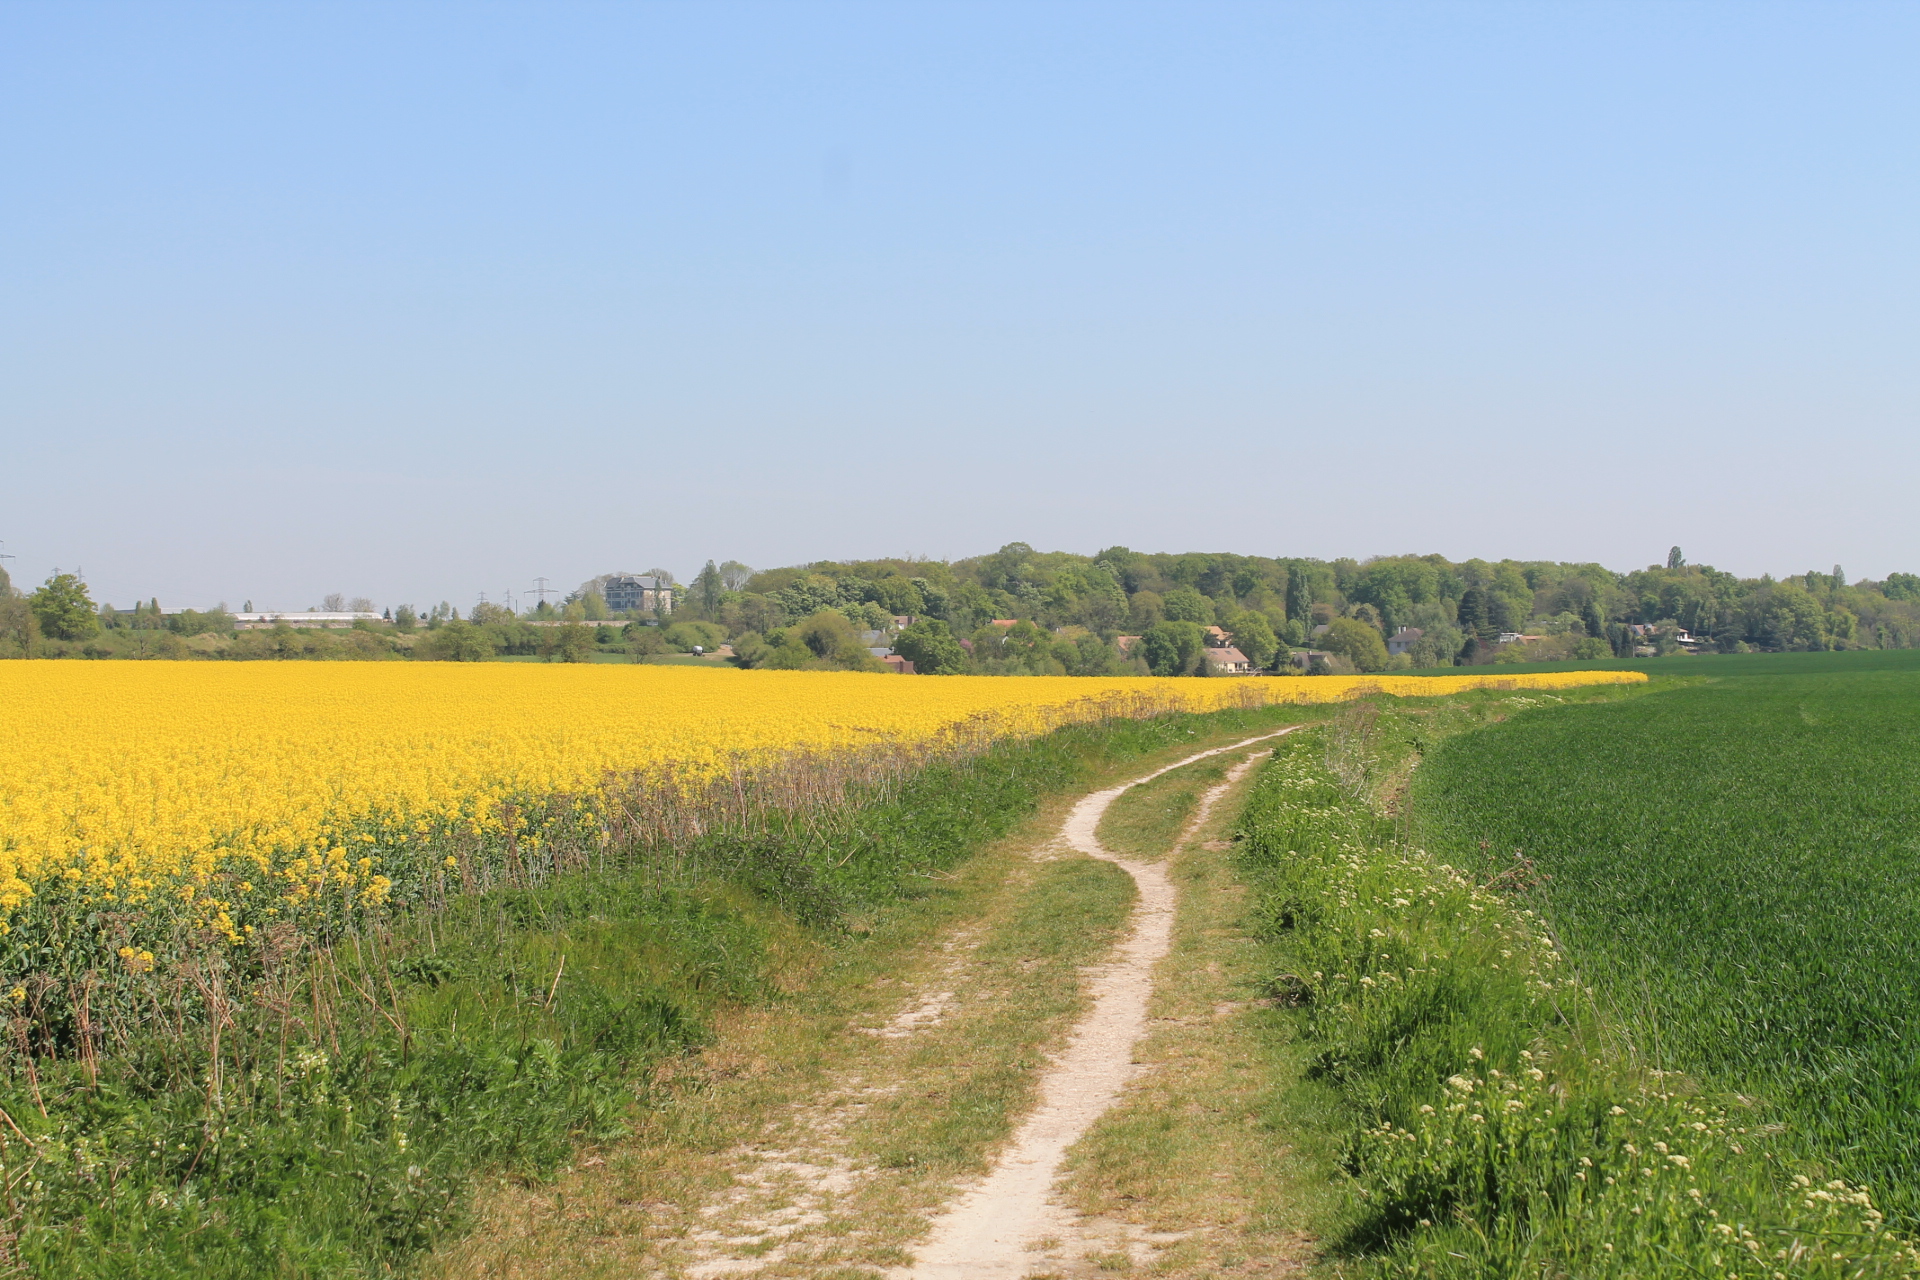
1051, 613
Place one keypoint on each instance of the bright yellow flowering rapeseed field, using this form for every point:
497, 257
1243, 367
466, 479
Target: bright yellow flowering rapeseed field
141, 780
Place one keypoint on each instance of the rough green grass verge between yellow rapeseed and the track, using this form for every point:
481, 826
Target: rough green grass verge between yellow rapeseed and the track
327, 1112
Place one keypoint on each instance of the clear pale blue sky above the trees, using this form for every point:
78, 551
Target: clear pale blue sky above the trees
427, 300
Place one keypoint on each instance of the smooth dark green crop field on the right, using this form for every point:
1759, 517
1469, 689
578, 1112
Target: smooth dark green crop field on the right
1735, 868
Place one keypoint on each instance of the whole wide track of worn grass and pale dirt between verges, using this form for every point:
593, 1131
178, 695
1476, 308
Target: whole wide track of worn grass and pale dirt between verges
821, 1139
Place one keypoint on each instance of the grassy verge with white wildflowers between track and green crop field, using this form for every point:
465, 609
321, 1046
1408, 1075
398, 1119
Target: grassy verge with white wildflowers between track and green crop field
1497, 1124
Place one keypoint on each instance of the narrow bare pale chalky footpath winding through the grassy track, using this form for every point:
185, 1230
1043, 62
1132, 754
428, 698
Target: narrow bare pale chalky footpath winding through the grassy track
997, 1229
